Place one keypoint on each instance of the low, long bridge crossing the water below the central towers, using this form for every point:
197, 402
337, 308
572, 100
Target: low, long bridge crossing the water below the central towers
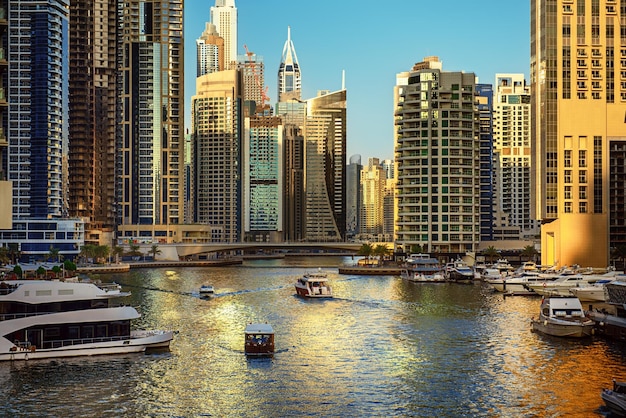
179, 251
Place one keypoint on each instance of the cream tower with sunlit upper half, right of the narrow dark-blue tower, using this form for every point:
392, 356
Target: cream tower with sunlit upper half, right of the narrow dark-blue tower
513, 149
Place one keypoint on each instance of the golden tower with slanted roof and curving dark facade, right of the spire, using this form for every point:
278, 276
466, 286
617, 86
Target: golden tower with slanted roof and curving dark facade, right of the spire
325, 159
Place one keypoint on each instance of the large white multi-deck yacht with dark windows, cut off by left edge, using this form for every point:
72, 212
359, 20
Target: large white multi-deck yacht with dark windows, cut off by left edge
43, 319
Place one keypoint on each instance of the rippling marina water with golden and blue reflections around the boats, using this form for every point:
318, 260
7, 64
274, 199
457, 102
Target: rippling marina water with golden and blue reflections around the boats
381, 347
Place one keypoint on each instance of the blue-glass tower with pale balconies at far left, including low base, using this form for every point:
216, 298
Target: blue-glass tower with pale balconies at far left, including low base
36, 128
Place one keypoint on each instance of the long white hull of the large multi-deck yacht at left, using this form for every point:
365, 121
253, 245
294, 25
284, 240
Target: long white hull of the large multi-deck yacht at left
140, 341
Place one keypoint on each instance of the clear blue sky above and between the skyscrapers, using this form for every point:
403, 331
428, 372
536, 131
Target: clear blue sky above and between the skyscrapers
372, 41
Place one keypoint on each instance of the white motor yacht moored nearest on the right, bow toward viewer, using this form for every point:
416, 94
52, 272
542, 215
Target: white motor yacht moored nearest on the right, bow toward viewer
562, 317
